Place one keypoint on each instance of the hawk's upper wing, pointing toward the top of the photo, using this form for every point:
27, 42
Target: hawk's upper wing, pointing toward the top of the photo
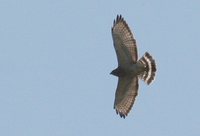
124, 42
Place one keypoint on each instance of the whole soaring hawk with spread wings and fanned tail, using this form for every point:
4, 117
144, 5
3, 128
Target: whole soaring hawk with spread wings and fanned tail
129, 69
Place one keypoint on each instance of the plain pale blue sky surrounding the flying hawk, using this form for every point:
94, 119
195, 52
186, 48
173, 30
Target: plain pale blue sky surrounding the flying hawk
56, 56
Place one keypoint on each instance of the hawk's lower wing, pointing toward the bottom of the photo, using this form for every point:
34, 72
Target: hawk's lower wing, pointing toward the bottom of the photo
125, 95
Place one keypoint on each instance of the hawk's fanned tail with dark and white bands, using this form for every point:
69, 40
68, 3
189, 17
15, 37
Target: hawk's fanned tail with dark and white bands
150, 68
